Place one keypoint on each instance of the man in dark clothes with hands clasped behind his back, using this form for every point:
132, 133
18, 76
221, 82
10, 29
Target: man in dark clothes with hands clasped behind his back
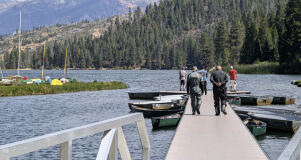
219, 80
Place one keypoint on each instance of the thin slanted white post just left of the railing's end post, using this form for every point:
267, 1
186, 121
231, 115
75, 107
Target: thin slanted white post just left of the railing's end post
122, 146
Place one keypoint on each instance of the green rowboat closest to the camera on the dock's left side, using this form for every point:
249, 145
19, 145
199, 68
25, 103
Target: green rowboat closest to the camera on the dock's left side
166, 121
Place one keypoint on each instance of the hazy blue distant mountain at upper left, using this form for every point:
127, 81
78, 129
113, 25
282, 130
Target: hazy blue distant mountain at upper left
47, 12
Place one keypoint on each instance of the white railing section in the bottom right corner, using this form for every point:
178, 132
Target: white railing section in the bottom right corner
292, 150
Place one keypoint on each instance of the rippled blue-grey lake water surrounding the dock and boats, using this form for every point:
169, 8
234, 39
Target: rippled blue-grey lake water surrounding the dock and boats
29, 116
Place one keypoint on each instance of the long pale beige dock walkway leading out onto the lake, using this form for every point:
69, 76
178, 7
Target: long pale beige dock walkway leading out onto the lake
210, 137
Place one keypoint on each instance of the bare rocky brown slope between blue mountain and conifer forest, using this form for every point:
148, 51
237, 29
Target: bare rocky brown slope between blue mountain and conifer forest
32, 39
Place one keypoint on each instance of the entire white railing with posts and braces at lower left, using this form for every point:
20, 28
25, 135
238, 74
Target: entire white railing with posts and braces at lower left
113, 138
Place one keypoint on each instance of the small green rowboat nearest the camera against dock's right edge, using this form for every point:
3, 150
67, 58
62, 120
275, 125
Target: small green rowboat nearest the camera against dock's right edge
256, 127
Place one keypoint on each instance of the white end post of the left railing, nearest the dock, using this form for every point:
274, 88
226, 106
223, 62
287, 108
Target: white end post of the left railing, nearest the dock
144, 139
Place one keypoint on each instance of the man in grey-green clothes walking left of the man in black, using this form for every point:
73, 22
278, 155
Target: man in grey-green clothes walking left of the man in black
194, 90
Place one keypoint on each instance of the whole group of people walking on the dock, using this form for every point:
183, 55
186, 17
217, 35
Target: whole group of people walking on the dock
196, 86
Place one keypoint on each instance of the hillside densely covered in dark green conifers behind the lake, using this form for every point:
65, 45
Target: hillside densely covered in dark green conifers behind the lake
179, 33
